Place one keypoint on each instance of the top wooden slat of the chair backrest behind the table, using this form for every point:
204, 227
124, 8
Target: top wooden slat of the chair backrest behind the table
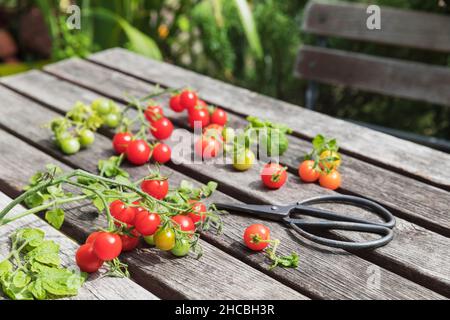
399, 27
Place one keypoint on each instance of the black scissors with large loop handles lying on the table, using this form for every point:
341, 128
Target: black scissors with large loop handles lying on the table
290, 215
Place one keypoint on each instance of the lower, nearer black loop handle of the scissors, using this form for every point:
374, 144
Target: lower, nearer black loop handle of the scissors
386, 233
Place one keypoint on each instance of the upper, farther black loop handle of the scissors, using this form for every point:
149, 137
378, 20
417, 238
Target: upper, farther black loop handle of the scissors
303, 207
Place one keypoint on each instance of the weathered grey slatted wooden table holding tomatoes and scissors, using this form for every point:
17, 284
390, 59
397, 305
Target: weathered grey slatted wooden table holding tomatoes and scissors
411, 180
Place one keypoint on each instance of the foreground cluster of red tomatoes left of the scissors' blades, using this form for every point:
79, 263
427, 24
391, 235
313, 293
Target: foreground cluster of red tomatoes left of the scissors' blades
167, 232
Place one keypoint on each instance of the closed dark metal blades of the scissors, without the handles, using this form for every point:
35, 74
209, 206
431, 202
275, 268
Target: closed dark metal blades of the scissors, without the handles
271, 212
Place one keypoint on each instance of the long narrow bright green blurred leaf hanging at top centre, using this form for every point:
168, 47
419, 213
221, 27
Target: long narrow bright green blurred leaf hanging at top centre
249, 26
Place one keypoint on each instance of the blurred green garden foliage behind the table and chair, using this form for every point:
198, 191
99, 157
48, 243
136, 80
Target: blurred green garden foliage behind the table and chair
213, 38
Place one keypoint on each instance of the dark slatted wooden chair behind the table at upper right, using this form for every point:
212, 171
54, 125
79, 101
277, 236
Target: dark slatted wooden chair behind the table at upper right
381, 75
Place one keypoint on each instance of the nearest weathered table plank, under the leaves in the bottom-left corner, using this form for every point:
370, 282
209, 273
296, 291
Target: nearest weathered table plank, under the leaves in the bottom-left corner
96, 287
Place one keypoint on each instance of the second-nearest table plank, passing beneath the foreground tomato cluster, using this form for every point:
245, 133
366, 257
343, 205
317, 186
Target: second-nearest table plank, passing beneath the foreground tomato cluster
216, 275
